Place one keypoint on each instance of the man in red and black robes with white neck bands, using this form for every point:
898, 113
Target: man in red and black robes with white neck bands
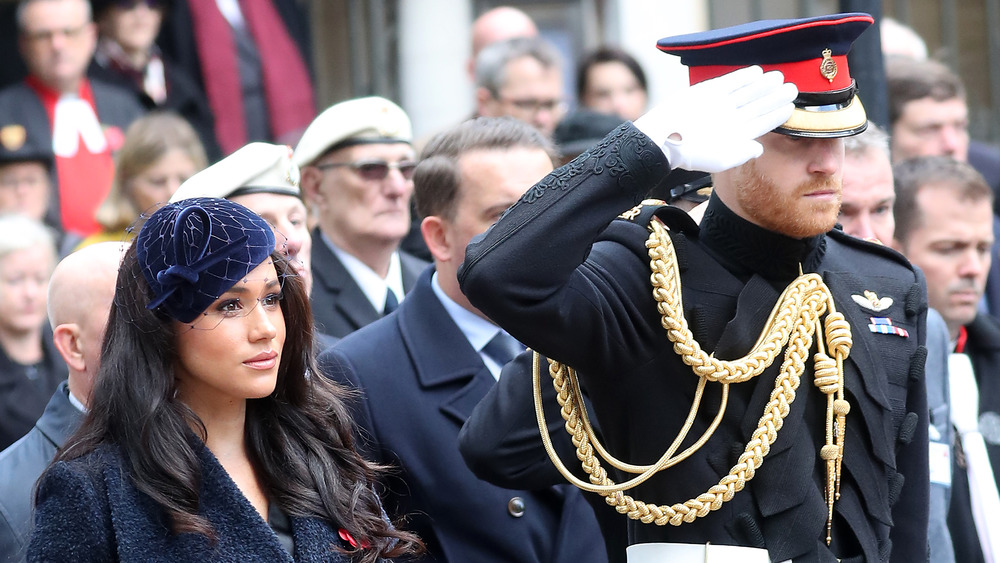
82, 120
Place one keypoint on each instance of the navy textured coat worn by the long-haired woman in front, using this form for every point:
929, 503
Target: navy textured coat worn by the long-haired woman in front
88, 509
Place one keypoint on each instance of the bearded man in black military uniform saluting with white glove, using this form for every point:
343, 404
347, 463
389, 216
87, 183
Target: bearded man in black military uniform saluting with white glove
771, 470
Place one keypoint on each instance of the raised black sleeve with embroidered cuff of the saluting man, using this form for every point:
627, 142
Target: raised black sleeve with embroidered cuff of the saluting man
527, 272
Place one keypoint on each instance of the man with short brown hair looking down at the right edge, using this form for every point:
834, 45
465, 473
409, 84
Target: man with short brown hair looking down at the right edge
944, 225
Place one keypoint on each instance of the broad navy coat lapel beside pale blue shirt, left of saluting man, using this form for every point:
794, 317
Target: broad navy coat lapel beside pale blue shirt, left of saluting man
442, 357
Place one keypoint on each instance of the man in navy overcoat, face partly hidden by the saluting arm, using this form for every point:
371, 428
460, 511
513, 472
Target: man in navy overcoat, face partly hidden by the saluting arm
422, 370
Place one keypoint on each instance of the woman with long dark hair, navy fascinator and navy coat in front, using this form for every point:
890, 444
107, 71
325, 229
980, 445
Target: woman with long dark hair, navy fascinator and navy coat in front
208, 436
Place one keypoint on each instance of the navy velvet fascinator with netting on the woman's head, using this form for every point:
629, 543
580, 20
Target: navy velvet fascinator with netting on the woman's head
192, 251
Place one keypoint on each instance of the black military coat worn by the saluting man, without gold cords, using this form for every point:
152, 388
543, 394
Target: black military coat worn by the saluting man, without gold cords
562, 276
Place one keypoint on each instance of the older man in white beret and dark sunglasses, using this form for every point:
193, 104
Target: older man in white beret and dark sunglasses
357, 167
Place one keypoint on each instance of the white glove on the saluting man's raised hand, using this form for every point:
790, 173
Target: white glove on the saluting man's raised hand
711, 126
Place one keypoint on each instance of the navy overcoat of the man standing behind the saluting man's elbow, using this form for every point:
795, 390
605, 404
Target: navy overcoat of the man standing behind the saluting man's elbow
419, 379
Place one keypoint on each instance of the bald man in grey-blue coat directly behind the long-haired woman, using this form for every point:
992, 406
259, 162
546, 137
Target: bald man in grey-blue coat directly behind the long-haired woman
81, 291
